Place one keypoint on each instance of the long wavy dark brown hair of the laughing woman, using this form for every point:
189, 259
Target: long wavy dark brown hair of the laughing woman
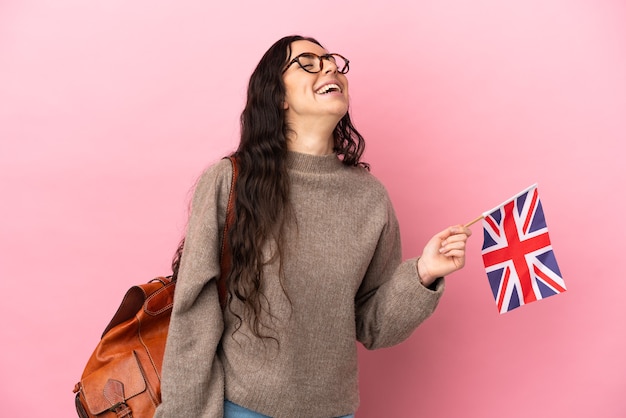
262, 190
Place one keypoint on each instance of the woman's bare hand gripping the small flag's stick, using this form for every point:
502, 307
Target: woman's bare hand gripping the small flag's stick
443, 254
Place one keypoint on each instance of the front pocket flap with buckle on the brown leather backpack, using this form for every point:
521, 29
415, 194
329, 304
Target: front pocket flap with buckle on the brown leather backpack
113, 384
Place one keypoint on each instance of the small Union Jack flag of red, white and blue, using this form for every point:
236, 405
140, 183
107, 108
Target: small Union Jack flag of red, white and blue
517, 252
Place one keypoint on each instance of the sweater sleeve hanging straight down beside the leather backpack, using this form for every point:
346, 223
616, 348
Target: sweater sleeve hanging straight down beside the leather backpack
192, 374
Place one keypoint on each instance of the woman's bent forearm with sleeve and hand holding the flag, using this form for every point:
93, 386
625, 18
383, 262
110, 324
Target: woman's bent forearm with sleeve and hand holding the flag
394, 297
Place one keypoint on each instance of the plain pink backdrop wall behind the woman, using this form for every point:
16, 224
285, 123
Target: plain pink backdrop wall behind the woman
109, 110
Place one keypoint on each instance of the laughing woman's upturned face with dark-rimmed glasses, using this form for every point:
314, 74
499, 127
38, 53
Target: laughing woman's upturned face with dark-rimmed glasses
311, 96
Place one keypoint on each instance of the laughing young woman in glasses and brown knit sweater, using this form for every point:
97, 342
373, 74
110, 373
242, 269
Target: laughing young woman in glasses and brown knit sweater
317, 257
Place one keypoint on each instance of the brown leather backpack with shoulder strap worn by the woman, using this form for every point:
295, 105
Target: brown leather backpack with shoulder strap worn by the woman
122, 379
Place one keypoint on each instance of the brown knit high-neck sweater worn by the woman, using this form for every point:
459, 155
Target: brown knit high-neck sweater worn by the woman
343, 281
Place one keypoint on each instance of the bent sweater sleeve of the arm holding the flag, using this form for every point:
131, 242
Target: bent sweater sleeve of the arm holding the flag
391, 302
